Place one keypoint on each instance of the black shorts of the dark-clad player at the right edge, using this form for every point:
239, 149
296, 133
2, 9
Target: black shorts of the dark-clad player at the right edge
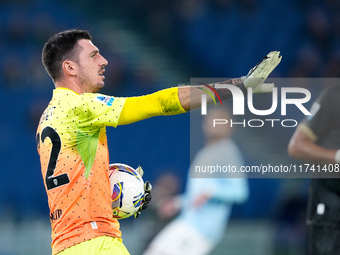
323, 240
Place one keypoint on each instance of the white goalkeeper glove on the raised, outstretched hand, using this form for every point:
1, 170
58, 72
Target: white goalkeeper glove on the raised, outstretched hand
259, 73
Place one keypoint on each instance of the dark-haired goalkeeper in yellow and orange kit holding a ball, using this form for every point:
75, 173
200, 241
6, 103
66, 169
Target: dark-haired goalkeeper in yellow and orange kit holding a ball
72, 144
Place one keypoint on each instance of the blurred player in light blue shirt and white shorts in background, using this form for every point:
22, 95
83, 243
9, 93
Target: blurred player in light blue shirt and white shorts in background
207, 202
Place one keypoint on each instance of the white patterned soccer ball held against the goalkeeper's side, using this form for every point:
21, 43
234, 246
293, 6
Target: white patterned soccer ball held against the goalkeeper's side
127, 190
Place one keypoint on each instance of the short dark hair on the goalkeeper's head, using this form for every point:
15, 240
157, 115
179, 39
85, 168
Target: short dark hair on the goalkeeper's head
60, 47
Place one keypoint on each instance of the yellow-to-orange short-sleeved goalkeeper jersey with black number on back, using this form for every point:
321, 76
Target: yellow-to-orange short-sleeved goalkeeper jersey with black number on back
72, 144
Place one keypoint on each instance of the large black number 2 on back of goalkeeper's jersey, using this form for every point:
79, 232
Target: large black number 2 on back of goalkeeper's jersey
59, 180
